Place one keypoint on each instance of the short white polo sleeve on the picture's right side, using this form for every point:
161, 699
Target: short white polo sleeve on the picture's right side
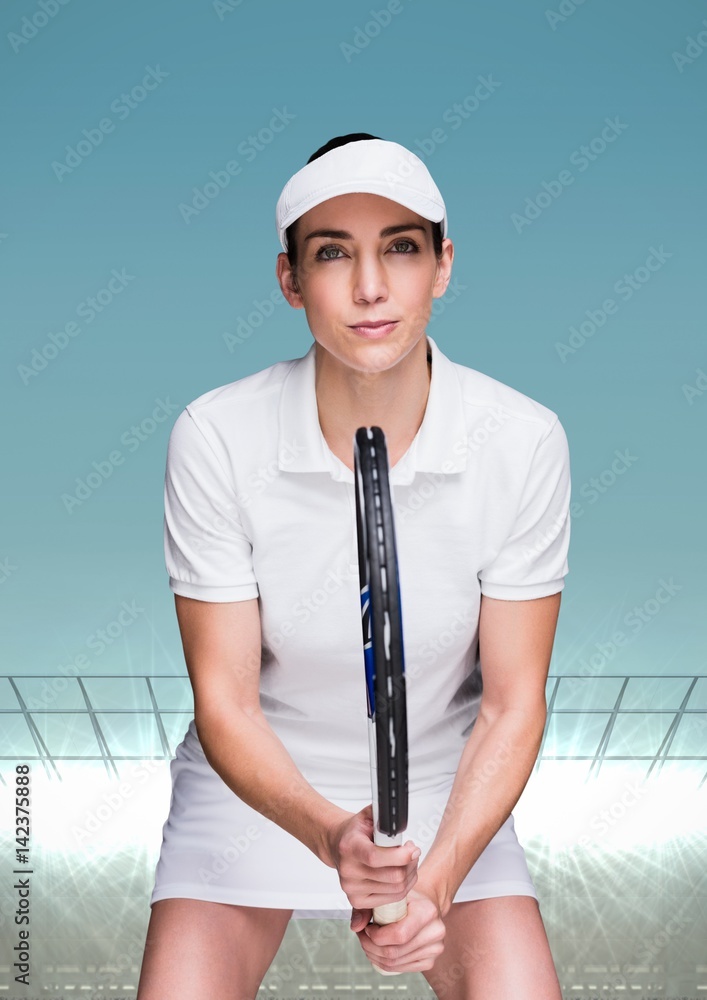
533, 560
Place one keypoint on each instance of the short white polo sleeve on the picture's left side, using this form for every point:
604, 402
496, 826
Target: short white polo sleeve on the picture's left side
207, 553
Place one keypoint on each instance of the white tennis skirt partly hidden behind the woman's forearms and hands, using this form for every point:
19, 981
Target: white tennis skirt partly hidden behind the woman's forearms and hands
216, 847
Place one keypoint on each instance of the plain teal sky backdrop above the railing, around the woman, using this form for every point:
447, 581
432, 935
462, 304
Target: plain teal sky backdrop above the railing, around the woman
162, 337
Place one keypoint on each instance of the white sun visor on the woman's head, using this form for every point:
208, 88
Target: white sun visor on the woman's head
374, 166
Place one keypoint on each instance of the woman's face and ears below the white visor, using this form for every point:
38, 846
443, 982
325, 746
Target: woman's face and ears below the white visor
361, 259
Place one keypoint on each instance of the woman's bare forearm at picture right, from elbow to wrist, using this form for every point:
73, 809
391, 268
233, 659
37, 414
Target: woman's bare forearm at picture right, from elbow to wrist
492, 773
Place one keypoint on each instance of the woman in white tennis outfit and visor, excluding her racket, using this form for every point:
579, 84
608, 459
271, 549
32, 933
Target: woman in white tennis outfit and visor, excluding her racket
270, 815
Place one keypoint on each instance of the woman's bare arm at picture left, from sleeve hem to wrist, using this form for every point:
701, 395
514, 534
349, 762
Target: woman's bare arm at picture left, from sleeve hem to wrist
222, 648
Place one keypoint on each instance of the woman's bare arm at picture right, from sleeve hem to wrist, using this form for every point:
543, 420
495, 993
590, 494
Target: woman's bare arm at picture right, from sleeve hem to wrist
515, 646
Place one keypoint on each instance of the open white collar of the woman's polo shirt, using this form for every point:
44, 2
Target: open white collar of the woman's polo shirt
439, 445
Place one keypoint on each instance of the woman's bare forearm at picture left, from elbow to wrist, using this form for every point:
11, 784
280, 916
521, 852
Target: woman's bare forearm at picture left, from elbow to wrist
245, 752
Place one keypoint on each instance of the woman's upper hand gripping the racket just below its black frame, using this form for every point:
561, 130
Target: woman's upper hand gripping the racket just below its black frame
371, 875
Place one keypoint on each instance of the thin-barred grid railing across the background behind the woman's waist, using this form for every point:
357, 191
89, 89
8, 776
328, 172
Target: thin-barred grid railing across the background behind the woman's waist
618, 718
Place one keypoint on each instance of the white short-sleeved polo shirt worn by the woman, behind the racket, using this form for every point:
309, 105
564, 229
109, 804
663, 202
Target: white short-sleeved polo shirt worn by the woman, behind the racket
257, 505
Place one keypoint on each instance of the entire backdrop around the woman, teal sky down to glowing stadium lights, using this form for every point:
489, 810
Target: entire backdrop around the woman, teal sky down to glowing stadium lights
637, 385
